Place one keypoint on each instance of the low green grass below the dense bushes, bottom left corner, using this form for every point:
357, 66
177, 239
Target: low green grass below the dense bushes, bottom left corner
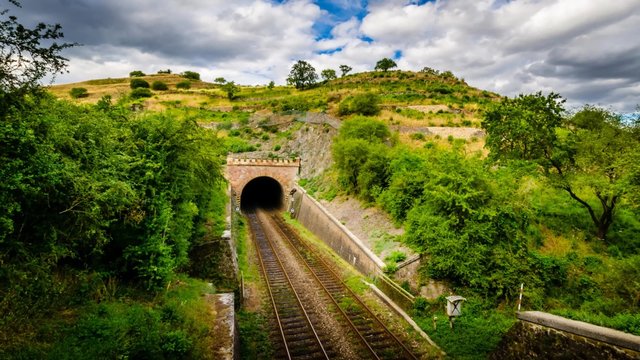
175, 323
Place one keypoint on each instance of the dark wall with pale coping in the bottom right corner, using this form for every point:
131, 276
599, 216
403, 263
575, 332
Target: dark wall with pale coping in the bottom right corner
546, 336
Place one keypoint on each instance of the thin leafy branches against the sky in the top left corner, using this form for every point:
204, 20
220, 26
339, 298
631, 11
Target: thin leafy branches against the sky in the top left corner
24, 59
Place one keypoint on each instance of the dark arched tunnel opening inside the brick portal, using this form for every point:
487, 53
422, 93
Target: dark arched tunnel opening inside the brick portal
262, 192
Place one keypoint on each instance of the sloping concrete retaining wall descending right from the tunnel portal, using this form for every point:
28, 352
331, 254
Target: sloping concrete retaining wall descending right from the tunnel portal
324, 225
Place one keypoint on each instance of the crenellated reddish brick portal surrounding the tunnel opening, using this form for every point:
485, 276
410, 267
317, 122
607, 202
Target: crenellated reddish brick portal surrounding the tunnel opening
239, 172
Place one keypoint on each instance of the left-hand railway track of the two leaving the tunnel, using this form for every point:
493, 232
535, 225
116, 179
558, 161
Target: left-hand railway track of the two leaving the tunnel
299, 337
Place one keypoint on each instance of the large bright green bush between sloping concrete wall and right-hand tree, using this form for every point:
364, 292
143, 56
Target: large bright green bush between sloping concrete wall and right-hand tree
470, 229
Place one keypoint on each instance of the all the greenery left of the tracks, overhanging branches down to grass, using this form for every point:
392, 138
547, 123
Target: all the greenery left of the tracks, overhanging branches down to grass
100, 209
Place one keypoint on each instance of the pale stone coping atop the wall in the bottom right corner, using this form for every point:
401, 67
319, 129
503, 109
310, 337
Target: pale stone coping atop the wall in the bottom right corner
607, 335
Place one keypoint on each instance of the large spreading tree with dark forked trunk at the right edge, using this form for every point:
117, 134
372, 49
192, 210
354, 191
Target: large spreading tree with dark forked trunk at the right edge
589, 155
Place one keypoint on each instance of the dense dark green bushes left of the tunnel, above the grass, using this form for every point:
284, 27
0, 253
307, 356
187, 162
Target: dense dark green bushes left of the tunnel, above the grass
89, 186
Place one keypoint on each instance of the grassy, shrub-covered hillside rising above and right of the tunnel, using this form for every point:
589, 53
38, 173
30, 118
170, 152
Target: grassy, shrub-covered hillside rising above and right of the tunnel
420, 157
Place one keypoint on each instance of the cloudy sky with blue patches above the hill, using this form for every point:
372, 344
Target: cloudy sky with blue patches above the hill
587, 50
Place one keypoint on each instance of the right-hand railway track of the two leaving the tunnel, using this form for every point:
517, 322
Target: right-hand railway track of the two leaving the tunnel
378, 342
